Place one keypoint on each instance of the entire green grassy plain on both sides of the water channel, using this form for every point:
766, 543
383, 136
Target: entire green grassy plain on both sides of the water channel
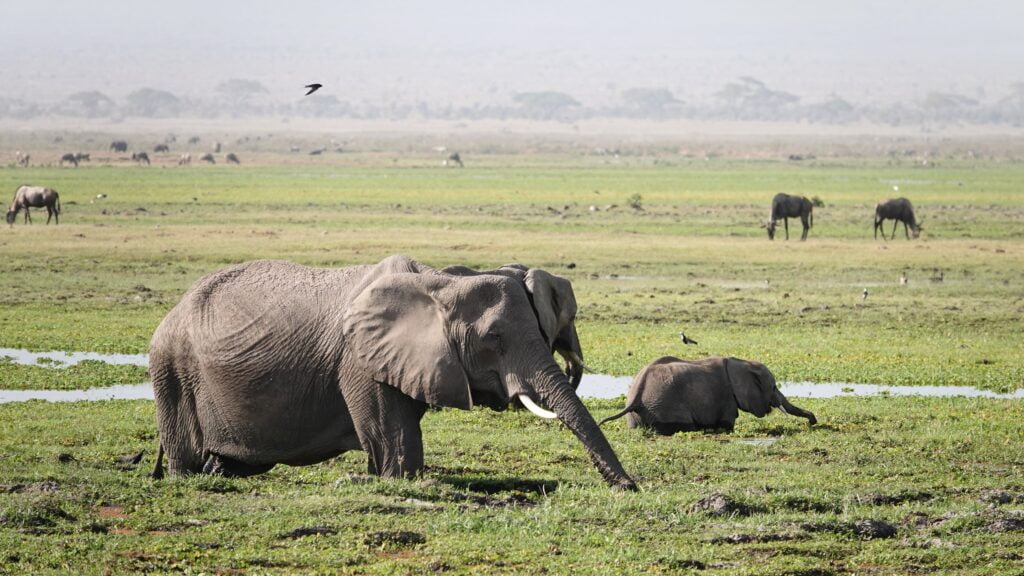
504, 492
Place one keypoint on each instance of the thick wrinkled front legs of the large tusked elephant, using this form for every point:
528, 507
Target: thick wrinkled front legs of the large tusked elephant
389, 426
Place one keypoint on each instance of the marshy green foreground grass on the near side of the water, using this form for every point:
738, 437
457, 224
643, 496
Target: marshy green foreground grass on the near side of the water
507, 493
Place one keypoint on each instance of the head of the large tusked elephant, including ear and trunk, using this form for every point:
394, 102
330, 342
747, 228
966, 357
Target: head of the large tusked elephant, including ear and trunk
463, 342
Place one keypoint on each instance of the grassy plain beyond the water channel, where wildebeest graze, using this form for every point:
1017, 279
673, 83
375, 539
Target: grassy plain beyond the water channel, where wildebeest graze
694, 258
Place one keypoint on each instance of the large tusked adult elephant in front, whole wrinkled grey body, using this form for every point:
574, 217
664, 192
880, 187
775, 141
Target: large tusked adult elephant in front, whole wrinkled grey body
271, 362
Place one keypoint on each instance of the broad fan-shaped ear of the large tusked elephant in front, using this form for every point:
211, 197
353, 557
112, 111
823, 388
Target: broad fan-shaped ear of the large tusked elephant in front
401, 334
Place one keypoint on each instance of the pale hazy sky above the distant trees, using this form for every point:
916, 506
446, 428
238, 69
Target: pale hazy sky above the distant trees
468, 50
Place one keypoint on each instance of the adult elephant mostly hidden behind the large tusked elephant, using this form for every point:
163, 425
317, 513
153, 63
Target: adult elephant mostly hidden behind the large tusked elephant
556, 308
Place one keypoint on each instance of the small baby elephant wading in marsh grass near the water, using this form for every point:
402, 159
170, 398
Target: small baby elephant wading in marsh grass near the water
673, 395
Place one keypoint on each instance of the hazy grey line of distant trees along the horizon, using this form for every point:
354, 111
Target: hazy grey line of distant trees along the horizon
746, 99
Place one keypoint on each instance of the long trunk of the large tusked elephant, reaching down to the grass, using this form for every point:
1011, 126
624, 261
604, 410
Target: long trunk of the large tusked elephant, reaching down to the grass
554, 391
